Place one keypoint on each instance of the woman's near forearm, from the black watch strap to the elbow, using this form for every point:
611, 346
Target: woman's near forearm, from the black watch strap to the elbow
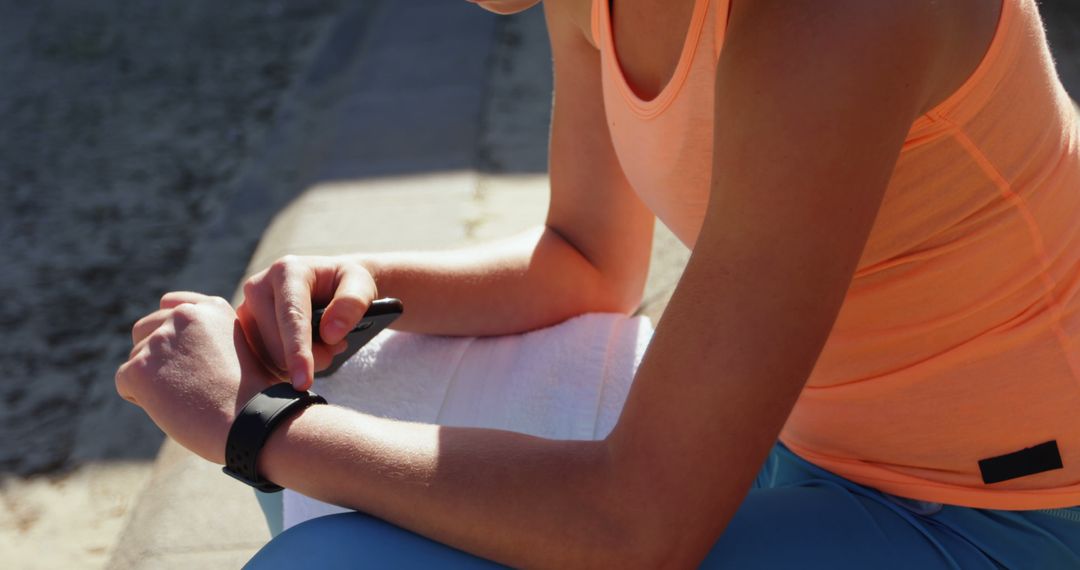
516, 499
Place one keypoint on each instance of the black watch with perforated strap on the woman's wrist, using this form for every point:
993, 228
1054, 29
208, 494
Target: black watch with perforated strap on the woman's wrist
253, 427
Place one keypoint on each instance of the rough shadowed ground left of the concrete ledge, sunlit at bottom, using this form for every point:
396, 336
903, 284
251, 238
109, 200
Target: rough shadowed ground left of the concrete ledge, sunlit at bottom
125, 124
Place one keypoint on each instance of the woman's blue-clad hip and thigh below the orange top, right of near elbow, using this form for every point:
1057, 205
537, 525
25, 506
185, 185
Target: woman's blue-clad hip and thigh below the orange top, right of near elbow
800, 515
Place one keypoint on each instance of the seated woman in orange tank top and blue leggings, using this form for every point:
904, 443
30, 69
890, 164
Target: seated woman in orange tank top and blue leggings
882, 202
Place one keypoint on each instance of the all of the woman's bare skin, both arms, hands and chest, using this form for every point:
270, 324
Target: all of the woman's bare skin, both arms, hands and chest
796, 187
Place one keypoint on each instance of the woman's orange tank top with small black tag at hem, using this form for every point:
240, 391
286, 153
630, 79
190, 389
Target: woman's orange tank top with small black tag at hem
953, 372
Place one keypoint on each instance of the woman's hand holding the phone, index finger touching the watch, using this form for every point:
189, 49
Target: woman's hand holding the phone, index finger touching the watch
276, 315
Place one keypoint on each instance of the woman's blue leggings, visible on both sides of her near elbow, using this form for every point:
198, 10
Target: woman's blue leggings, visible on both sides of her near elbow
798, 515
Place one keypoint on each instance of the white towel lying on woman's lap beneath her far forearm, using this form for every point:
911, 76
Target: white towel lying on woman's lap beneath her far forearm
568, 382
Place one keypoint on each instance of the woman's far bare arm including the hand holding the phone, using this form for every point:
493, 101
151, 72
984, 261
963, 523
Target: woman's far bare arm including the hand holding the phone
591, 255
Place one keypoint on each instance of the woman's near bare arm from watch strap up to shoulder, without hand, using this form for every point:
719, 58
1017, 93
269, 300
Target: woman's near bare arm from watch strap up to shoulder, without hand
814, 104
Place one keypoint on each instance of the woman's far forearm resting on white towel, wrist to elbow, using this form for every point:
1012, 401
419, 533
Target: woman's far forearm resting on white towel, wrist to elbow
530, 281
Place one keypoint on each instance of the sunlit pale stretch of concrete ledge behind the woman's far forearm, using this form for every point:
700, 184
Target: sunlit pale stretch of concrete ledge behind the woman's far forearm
403, 213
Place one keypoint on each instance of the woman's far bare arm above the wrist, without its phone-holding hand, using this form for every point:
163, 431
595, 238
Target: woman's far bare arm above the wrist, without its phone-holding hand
592, 255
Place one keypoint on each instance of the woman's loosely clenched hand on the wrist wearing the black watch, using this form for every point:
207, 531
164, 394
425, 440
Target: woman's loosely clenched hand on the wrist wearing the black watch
192, 371
